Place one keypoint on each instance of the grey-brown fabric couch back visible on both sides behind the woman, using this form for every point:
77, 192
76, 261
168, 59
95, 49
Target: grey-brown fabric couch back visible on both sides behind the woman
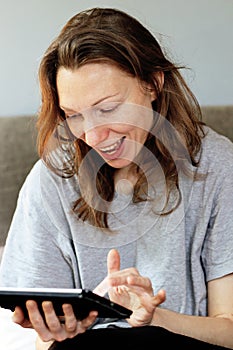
18, 154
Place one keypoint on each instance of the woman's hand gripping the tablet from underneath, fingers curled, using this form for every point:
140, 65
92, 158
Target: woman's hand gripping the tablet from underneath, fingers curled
51, 327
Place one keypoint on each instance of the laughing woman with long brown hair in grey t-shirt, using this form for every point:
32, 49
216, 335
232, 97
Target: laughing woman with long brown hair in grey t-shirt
131, 198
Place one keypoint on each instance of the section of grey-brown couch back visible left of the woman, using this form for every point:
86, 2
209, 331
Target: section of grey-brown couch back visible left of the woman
17, 155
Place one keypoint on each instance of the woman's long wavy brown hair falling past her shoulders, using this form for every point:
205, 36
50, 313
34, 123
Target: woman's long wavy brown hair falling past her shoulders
112, 36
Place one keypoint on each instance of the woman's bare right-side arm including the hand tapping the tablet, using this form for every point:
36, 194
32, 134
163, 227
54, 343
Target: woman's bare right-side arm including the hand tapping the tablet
134, 291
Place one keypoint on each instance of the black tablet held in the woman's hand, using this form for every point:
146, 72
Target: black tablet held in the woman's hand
82, 300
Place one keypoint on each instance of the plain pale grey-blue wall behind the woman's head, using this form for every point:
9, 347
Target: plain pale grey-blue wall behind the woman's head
198, 34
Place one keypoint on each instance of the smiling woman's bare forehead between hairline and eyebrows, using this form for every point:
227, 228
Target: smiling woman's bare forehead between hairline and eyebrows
91, 84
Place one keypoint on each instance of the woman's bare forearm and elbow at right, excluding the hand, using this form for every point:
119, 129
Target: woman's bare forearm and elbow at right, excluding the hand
217, 328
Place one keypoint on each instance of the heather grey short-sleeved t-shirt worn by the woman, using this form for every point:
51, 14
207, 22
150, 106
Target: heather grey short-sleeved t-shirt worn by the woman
47, 246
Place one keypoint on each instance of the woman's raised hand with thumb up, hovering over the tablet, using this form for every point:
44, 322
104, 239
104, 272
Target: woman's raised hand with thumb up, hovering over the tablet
130, 289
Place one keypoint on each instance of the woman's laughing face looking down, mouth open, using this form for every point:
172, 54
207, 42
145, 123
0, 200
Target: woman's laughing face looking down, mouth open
106, 108
